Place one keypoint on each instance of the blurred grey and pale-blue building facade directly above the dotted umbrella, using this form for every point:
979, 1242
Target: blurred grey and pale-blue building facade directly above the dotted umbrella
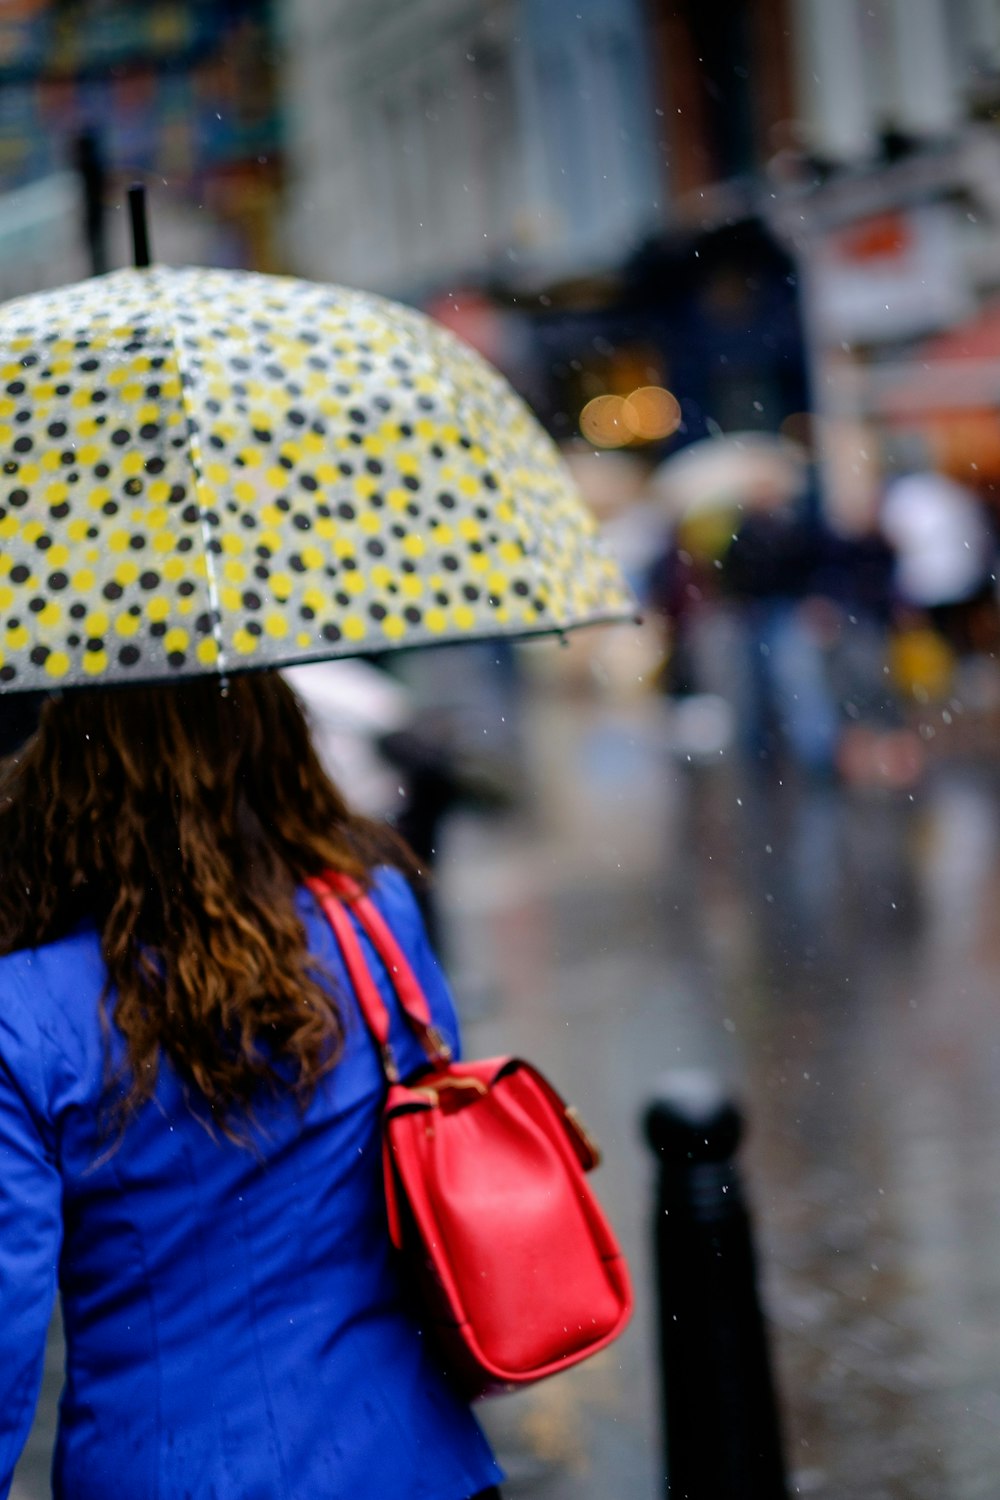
439, 143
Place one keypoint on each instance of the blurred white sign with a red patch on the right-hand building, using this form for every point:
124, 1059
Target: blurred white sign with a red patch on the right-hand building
893, 277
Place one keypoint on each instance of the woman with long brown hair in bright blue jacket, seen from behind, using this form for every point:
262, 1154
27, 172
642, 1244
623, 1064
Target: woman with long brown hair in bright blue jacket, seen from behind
190, 1117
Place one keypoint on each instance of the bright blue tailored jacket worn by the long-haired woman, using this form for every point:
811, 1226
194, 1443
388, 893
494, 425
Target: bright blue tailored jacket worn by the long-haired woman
233, 1319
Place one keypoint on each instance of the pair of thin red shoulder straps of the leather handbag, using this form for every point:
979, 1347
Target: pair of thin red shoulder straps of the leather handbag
335, 893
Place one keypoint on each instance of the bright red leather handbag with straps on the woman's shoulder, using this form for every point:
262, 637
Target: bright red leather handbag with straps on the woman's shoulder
516, 1268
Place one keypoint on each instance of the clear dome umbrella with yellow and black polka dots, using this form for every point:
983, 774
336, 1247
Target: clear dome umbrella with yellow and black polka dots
215, 470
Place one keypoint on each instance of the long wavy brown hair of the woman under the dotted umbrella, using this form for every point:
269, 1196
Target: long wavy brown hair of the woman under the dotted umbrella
181, 820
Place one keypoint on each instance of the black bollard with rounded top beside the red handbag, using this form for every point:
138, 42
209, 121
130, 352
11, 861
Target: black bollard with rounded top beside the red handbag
722, 1433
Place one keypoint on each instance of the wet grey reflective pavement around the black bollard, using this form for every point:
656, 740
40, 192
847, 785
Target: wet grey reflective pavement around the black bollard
836, 956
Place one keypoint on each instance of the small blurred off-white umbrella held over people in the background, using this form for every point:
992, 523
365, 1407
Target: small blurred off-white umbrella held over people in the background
732, 472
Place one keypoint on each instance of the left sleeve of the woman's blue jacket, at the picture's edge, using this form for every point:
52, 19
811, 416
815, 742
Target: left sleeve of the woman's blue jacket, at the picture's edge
31, 1228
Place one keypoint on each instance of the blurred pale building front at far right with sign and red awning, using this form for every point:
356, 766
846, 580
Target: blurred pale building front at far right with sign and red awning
890, 197
